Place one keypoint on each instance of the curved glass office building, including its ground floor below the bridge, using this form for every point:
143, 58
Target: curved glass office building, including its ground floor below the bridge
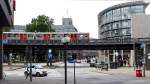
115, 22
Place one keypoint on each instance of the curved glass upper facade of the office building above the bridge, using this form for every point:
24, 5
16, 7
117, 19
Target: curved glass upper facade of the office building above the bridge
116, 22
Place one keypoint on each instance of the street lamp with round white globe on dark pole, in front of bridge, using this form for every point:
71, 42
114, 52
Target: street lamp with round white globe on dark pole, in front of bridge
65, 41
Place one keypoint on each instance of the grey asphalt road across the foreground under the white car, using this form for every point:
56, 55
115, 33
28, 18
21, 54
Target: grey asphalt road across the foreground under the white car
83, 76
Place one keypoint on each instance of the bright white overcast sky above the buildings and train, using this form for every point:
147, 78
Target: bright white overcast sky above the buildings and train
83, 12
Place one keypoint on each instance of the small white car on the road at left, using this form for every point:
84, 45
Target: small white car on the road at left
37, 70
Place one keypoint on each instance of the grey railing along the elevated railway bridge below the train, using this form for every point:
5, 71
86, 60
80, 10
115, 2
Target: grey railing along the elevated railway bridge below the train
79, 42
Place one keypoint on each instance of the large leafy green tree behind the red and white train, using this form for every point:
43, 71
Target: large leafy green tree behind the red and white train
40, 24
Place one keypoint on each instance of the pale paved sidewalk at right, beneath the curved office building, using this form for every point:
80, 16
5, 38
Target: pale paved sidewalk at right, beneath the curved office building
129, 71
